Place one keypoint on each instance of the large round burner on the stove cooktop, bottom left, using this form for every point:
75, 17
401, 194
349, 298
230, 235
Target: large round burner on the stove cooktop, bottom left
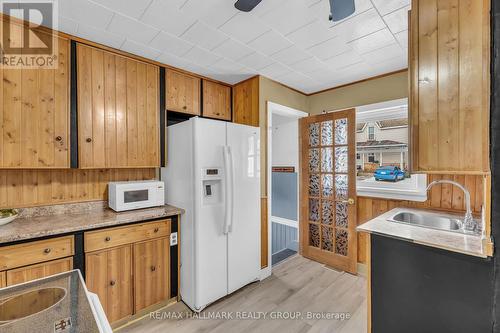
30, 303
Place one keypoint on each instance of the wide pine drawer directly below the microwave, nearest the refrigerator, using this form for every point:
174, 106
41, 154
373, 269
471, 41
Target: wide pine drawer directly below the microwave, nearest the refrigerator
107, 238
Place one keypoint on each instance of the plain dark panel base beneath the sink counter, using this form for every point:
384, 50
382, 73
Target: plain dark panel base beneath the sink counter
421, 289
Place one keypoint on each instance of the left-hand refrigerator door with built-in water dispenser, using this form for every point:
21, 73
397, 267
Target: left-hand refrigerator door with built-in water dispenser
210, 239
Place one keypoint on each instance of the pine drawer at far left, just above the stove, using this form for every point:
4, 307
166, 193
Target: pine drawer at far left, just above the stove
36, 252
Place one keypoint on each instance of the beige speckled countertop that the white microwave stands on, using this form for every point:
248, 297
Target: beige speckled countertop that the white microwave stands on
62, 219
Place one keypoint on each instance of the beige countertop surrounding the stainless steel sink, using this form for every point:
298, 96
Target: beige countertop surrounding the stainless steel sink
451, 241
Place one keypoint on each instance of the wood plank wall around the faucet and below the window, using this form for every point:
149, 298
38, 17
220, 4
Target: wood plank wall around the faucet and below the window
441, 197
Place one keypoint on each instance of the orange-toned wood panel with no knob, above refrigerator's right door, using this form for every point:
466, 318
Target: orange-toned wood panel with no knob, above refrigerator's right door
246, 102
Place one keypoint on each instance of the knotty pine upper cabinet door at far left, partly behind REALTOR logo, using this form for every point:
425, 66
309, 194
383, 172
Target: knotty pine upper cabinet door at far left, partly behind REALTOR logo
34, 115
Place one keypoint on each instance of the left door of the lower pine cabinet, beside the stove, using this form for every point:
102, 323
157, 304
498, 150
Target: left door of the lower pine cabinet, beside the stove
109, 275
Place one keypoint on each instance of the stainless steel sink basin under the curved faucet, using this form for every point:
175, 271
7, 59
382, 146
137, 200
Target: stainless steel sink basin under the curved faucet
428, 220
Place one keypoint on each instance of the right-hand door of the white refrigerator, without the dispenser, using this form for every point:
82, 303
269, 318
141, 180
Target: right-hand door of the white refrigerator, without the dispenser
244, 232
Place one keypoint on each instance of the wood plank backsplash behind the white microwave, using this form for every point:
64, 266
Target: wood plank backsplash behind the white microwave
26, 188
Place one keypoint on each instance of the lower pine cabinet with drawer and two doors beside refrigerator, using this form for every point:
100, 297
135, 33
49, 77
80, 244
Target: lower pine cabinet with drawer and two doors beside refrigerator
129, 277
